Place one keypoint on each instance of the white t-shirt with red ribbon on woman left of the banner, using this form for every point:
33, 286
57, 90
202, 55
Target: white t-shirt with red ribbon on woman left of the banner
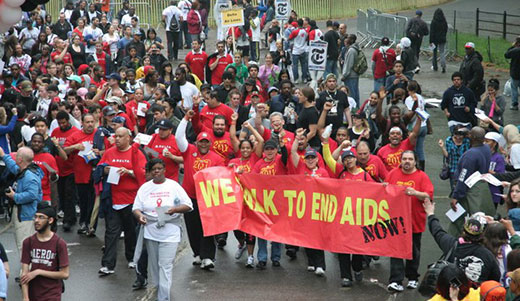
168, 194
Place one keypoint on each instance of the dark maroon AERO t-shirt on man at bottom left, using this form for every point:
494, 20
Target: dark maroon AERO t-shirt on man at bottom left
45, 256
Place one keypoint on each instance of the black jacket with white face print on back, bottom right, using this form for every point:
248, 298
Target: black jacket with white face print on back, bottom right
468, 256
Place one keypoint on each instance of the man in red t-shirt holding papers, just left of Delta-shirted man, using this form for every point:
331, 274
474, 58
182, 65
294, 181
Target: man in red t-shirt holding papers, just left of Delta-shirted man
77, 146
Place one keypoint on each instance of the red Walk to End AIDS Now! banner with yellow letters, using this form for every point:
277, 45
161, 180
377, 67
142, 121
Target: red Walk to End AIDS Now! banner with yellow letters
335, 215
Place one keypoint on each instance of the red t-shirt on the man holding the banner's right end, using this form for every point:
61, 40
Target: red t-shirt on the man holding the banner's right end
419, 181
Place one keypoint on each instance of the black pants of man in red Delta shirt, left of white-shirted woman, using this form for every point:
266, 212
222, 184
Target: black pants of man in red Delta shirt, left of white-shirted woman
117, 221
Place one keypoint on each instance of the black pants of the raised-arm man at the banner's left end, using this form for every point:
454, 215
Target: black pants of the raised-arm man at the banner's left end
203, 246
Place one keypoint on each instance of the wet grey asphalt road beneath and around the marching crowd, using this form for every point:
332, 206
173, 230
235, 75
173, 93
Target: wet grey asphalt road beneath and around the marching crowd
230, 279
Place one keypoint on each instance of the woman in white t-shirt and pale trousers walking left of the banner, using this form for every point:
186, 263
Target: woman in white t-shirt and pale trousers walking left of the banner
157, 207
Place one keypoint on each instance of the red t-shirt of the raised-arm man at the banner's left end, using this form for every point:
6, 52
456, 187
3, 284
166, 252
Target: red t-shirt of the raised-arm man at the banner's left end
195, 161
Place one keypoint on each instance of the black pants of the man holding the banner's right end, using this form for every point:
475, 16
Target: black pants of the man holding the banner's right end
397, 268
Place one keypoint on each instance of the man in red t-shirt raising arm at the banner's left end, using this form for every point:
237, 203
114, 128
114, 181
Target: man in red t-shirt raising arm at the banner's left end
197, 157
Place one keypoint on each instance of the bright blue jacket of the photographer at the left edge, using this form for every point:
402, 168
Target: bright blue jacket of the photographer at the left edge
28, 188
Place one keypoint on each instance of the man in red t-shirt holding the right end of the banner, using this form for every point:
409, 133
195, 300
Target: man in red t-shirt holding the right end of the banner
419, 187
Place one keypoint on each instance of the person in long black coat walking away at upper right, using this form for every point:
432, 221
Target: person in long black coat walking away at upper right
438, 31
